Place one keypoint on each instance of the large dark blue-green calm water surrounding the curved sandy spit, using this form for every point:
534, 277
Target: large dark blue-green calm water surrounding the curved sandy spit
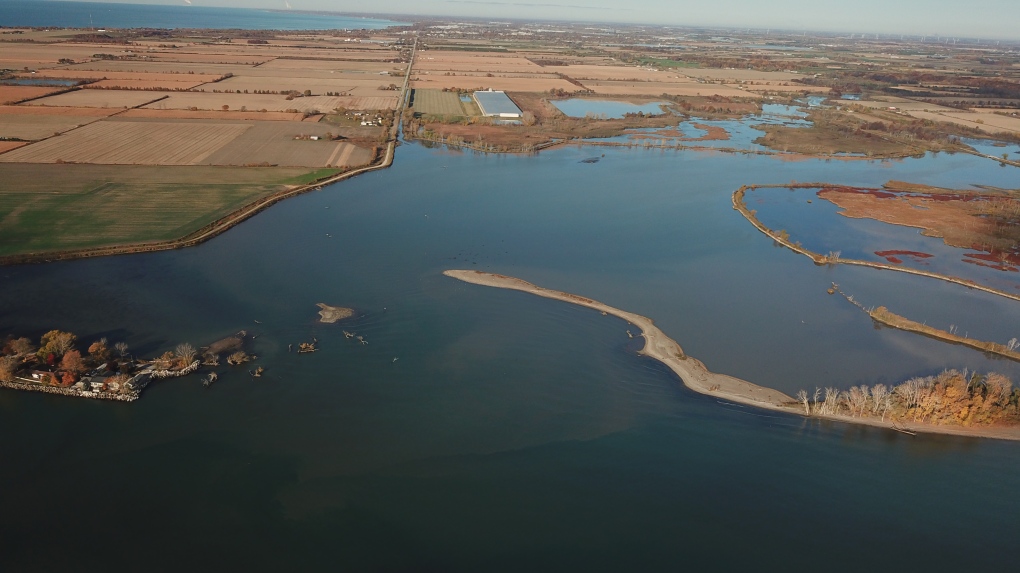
512, 433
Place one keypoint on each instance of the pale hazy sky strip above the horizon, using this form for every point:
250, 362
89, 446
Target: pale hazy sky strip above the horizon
975, 19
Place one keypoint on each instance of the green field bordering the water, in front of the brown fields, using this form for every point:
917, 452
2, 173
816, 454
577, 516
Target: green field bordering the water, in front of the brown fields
46, 209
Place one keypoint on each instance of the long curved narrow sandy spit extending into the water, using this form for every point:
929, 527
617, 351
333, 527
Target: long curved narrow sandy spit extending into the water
696, 377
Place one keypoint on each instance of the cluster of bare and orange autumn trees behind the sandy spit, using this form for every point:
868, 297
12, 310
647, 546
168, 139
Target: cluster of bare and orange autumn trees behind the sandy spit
950, 398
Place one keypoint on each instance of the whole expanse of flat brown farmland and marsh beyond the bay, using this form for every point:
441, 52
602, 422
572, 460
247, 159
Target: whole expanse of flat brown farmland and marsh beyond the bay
285, 107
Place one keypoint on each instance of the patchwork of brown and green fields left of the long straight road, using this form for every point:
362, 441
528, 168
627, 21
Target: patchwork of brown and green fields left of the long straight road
137, 138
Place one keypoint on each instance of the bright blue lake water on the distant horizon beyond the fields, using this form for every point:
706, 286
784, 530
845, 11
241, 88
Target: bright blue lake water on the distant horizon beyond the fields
101, 15
